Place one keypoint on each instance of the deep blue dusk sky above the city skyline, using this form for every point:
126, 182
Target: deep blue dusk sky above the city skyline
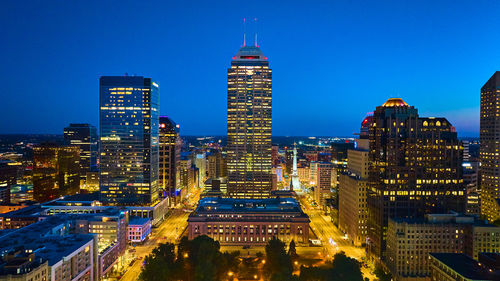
332, 61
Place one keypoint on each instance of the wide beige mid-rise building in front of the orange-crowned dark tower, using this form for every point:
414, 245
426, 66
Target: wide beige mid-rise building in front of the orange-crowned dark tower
410, 241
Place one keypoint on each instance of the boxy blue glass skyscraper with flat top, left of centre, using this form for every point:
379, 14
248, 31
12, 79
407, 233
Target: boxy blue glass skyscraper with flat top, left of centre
129, 132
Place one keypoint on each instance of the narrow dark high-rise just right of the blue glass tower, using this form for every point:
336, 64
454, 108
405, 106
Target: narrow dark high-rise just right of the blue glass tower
170, 155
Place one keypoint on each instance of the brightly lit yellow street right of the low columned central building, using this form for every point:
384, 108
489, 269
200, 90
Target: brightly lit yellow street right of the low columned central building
331, 237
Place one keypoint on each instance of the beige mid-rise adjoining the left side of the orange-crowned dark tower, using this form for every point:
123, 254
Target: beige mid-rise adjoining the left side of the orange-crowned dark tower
353, 211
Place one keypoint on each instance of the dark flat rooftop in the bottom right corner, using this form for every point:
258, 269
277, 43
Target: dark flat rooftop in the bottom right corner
466, 266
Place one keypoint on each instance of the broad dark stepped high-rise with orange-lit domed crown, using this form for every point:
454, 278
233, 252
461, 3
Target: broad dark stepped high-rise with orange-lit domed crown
415, 169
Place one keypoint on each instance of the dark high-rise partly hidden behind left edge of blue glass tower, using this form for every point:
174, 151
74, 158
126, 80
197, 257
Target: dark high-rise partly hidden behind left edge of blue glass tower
85, 137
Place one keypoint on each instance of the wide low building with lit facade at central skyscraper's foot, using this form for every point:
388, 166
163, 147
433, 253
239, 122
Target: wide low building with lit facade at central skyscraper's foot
249, 221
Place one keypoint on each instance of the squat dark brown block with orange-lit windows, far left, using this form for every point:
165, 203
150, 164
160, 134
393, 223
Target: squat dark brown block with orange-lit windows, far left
56, 171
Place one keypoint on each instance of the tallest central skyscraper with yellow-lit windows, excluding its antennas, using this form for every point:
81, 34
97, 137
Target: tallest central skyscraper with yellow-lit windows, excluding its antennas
249, 116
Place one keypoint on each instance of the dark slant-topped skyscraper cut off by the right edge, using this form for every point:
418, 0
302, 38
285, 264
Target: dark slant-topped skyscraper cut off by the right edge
490, 148
